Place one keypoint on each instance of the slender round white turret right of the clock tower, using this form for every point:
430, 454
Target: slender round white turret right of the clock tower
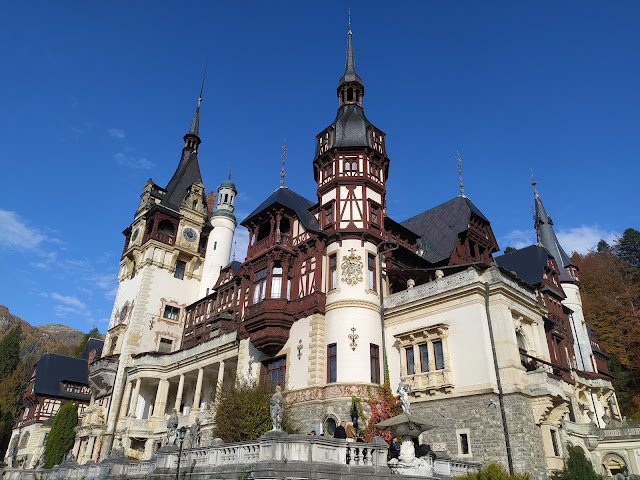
221, 237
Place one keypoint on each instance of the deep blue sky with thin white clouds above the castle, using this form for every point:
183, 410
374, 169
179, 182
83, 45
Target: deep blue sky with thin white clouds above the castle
95, 98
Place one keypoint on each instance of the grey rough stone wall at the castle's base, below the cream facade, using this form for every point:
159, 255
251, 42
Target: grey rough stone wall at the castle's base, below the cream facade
485, 430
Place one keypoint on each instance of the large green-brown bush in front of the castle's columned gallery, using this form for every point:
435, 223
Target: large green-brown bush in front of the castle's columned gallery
243, 413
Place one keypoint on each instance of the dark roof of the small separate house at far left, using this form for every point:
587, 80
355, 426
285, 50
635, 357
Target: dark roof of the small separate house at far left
53, 369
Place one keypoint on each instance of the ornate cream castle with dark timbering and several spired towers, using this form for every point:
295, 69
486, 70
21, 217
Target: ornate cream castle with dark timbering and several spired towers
332, 294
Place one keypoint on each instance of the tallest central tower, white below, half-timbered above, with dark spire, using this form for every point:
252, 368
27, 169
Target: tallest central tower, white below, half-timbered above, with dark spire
350, 169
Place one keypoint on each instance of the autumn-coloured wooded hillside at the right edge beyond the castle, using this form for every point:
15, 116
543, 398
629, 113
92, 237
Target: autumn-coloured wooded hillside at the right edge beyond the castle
610, 286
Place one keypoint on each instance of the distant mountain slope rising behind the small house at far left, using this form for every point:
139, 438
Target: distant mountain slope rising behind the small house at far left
36, 341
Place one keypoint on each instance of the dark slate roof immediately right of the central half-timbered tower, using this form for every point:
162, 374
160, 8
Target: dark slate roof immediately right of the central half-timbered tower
440, 226
